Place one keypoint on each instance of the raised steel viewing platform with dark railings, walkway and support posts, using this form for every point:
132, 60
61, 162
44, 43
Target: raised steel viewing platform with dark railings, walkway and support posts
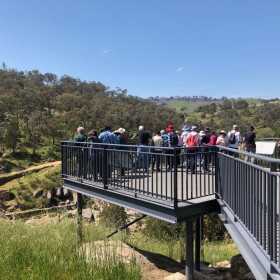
245, 194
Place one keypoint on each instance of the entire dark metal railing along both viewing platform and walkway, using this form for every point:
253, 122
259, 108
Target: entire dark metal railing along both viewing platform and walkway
171, 176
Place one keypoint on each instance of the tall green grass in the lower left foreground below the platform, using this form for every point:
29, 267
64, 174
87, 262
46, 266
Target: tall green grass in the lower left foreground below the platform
52, 251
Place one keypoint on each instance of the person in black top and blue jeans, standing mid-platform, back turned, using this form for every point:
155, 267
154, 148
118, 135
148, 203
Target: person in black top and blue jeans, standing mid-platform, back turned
143, 139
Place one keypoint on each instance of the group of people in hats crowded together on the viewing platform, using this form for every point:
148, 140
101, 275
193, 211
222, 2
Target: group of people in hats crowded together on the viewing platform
190, 139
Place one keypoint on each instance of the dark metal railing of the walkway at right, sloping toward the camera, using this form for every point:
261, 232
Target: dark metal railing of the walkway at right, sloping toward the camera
251, 192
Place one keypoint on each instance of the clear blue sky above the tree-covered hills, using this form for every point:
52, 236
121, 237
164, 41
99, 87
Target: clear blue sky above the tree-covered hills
150, 48
